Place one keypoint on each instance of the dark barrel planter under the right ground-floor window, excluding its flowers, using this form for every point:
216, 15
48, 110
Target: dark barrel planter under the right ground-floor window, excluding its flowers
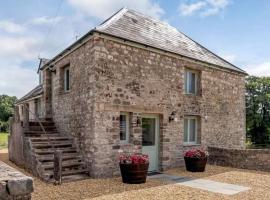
195, 164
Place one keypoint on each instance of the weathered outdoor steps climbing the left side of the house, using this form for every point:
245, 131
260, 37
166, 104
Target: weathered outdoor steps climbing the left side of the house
43, 146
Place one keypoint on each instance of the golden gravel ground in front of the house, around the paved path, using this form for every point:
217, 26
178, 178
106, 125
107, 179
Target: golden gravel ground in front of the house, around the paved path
110, 189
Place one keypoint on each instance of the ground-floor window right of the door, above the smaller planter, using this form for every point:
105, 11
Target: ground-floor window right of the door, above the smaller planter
190, 130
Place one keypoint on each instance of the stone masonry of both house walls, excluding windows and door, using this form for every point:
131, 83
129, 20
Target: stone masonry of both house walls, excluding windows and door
109, 77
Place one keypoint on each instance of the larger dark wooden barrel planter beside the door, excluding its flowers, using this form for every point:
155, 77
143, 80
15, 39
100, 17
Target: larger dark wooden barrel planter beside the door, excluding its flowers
134, 173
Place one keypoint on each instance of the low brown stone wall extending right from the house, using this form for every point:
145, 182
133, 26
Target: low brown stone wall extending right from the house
254, 159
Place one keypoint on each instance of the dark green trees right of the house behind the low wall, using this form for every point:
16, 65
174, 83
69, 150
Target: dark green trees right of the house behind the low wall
258, 109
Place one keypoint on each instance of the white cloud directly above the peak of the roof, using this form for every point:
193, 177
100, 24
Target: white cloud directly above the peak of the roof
102, 9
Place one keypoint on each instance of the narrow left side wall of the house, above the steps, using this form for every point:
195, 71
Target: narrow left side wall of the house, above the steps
73, 110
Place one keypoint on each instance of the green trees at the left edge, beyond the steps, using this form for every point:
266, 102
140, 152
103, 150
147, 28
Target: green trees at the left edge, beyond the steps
6, 110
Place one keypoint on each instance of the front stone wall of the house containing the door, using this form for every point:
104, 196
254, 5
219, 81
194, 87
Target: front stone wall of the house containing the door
130, 79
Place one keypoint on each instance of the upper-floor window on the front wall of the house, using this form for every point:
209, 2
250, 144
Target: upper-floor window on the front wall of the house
191, 79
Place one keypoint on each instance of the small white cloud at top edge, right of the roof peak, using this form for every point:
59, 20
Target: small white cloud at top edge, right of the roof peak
203, 7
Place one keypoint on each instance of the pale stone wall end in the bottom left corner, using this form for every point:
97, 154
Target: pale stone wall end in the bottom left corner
13, 184
